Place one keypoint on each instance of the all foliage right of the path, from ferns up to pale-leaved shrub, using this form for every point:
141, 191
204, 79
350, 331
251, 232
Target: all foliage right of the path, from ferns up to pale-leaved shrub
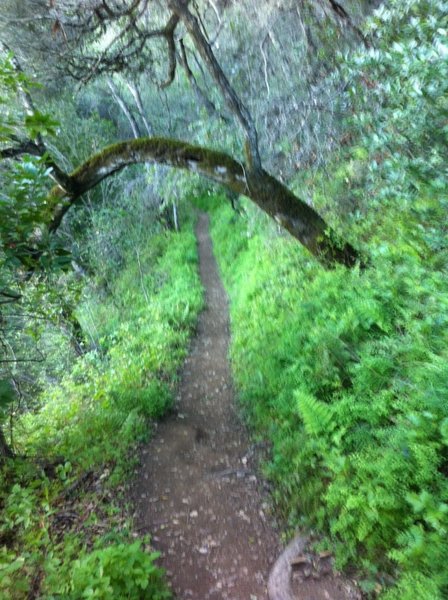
346, 371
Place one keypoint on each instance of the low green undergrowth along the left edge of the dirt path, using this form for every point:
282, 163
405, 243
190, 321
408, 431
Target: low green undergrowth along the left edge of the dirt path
64, 532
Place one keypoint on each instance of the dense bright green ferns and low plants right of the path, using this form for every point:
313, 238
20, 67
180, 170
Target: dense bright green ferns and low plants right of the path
346, 374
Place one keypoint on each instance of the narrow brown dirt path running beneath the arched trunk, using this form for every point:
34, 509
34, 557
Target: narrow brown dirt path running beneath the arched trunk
198, 494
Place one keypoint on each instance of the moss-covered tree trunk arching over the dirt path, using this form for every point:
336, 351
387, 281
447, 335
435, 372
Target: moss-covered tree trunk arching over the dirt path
302, 221
